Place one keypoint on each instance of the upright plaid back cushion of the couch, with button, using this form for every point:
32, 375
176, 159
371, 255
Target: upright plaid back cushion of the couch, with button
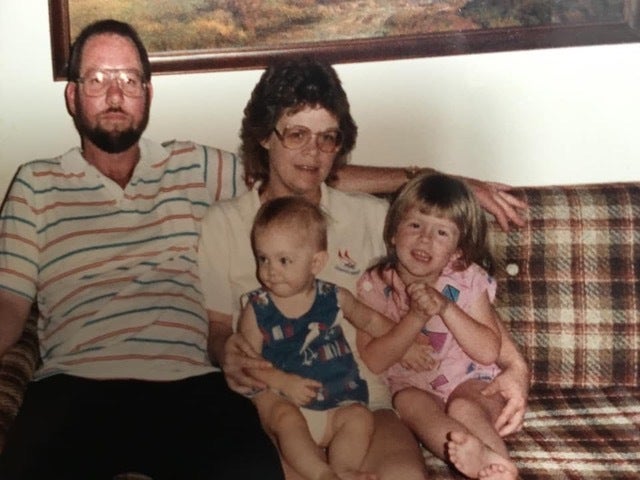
568, 285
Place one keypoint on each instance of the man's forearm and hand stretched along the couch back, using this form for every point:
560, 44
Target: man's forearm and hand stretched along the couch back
494, 197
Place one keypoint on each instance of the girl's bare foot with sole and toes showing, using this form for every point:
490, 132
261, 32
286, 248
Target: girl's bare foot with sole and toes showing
476, 460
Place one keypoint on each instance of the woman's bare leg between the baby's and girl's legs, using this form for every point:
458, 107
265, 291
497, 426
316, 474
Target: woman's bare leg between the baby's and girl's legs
394, 452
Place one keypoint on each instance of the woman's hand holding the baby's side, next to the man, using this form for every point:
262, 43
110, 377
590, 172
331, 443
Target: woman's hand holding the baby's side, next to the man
239, 357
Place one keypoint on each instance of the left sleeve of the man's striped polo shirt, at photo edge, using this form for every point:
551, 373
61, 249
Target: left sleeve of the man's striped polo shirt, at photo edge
18, 238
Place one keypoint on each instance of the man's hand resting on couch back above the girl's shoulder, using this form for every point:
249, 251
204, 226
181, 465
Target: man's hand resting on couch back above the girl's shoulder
496, 199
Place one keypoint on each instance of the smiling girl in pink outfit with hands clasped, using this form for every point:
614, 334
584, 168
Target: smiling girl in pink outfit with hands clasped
435, 234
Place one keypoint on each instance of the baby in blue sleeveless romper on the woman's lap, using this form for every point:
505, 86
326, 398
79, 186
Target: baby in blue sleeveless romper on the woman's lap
315, 396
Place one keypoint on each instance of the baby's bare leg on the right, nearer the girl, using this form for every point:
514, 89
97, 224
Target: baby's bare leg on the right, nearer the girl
347, 438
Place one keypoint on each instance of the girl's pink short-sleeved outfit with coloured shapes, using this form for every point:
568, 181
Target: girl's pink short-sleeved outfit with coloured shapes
386, 293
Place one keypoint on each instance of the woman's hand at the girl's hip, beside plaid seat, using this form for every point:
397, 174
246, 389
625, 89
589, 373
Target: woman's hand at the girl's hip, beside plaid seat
513, 386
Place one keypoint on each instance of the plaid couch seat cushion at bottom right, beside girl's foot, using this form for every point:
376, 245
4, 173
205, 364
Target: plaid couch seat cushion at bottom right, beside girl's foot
586, 433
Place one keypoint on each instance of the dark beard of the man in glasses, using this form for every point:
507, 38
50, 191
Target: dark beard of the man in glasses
110, 141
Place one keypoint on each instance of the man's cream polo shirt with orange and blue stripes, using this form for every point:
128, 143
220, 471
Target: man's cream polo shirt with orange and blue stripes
115, 271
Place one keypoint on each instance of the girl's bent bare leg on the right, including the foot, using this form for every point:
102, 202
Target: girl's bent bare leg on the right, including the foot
478, 451
